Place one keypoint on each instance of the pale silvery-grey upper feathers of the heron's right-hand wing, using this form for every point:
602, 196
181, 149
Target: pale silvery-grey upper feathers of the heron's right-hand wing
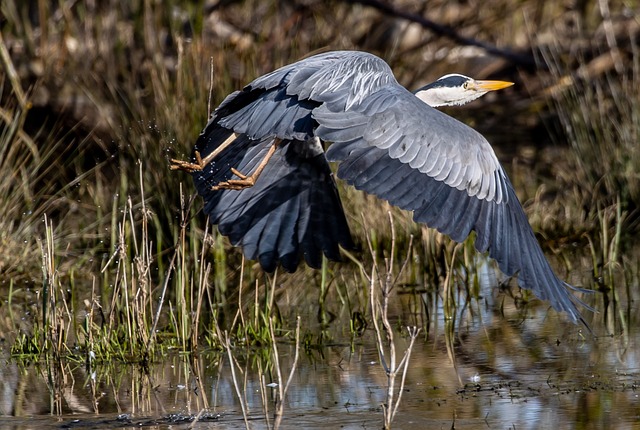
426, 139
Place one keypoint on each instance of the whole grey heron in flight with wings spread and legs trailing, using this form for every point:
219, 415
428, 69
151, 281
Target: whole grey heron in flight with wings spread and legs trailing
261, 168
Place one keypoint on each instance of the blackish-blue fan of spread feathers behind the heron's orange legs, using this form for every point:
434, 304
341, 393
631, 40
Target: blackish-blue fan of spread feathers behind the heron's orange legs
295, 215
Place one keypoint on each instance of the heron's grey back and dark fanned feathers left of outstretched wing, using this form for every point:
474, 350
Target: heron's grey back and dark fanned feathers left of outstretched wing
293, 211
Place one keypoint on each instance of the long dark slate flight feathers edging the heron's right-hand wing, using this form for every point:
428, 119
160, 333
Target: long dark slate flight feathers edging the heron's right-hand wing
502, 229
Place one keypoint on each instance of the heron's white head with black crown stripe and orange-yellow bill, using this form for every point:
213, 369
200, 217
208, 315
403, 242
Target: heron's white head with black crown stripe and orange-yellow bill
455, 89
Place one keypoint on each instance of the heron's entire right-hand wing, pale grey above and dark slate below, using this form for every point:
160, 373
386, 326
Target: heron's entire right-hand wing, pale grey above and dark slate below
396, 147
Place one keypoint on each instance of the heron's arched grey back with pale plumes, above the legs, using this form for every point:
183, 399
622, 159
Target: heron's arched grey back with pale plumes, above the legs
280, 103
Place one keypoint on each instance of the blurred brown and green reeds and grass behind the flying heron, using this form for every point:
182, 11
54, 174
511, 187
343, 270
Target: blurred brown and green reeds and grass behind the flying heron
97, 96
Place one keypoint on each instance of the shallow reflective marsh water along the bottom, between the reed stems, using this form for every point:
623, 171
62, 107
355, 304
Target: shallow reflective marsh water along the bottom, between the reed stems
492, 366
